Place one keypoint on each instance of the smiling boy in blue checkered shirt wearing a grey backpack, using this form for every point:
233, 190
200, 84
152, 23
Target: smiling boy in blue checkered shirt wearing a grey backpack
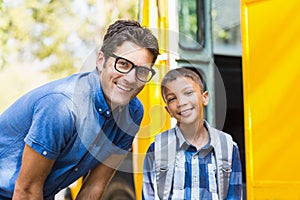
191, 160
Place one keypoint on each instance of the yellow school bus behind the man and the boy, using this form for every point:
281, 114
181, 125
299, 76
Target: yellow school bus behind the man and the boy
254, 92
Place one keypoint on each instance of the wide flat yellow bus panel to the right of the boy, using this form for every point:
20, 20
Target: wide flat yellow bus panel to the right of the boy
271, 70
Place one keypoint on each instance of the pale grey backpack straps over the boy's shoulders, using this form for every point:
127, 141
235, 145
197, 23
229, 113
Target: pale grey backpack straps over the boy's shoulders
165, 159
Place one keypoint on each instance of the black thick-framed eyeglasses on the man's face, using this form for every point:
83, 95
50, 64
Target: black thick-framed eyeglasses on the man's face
124, 66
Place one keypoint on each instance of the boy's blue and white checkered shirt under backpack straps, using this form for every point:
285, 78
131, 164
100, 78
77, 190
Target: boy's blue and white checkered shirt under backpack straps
200, 180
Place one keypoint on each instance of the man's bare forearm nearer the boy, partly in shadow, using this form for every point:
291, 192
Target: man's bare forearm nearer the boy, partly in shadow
95, 183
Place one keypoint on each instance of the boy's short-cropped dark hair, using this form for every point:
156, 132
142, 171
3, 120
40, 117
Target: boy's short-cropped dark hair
188, 72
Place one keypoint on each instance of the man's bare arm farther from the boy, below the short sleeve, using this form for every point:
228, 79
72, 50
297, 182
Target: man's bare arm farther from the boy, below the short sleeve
33, 173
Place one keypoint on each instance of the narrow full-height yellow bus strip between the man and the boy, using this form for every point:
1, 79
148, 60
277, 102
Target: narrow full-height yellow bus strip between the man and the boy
156, 119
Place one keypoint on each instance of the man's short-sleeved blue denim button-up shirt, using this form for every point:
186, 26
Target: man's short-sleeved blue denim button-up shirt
69, 121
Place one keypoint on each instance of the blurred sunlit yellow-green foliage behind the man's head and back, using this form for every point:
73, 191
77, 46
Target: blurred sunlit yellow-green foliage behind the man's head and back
56, 33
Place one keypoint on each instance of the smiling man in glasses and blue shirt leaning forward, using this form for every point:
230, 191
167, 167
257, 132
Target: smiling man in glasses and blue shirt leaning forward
81, 124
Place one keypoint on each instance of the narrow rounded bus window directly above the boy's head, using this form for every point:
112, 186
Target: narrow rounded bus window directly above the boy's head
190, 17
